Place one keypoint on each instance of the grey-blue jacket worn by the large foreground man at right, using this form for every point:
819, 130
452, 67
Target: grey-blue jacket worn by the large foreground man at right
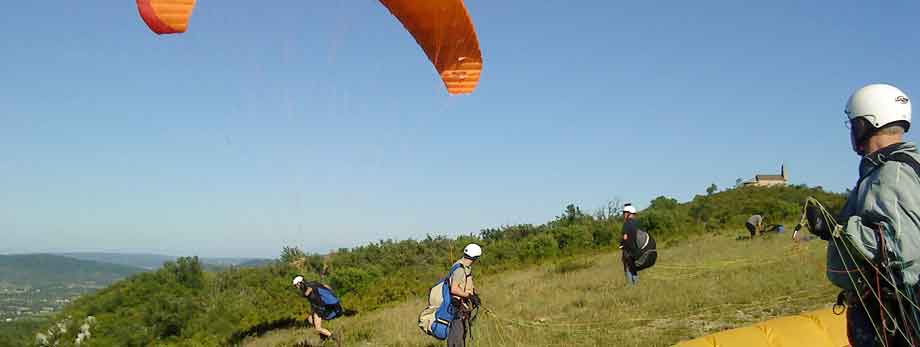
886, 198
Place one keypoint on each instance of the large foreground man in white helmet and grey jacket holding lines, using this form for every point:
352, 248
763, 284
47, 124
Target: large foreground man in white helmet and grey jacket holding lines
877, 239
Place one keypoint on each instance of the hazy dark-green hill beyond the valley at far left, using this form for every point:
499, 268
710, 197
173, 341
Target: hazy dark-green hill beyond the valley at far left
43, 270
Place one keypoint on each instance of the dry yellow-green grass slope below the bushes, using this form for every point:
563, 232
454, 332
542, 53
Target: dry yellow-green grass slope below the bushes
700, 286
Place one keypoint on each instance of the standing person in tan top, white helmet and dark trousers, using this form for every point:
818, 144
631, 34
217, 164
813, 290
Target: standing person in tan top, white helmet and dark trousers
464, 294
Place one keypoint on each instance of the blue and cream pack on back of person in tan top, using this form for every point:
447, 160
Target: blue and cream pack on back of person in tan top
435, 319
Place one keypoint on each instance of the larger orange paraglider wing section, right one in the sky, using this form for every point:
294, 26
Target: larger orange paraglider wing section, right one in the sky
445, 32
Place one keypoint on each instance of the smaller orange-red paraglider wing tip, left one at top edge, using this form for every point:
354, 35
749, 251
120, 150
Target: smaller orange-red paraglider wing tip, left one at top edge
166, 16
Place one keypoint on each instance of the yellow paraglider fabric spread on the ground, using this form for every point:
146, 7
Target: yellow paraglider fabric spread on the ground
813, 329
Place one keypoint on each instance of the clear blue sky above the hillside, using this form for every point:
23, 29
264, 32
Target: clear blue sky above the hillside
322, 124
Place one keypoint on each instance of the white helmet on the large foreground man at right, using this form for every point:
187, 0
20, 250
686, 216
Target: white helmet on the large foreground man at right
875, 106
